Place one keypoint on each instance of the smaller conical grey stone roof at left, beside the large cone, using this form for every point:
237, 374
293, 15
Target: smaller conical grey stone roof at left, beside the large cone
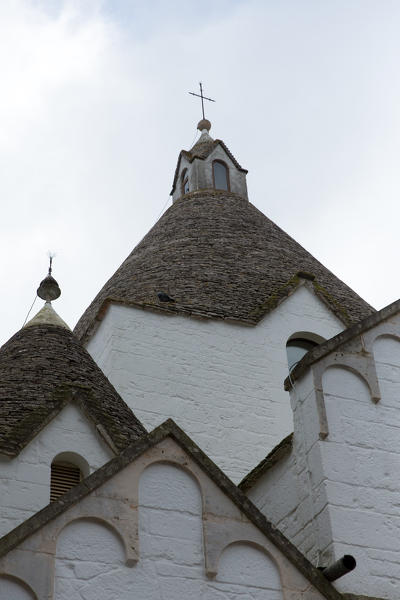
42, 368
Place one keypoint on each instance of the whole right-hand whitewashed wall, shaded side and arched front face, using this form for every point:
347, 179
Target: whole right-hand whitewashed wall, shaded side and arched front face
350, 480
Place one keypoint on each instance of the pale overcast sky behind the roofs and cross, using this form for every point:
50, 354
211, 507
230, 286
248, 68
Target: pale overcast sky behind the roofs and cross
94, 109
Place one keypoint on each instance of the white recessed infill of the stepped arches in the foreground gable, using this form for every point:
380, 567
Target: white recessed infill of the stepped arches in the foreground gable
90, 557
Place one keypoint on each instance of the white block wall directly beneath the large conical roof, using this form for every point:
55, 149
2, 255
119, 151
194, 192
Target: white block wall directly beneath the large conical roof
222, 383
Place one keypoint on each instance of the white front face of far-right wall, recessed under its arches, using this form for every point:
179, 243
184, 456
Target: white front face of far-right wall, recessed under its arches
361, 466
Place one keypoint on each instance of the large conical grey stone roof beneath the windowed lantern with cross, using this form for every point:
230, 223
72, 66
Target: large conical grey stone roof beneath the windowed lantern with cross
218, 256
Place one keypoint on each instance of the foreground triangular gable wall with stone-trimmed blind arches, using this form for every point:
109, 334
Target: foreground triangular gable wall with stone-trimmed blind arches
159, 529
